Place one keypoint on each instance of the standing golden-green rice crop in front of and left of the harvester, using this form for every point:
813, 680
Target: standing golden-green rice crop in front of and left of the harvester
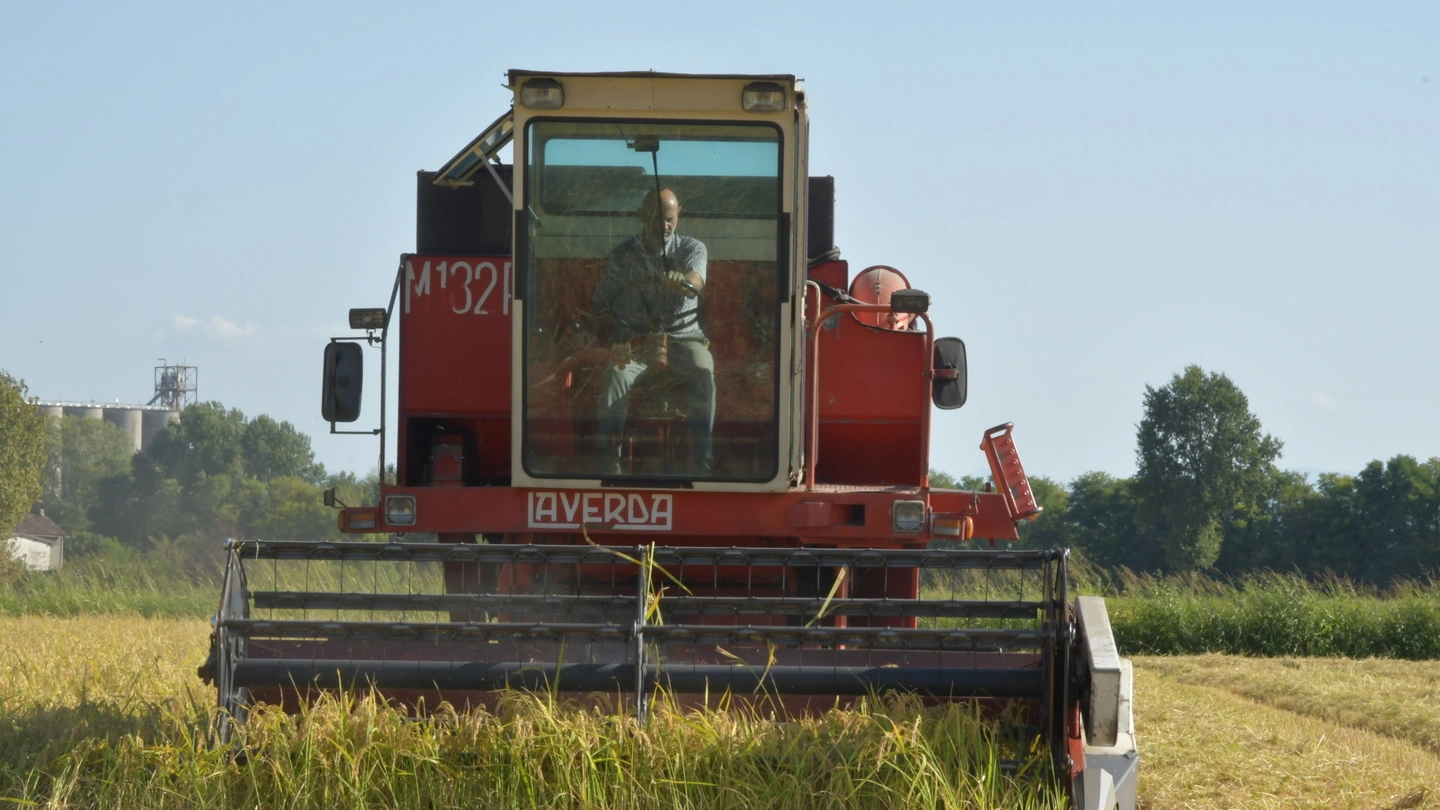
107, 713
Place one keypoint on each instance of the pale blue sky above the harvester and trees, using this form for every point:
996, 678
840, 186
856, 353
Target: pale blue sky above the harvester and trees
1095, 194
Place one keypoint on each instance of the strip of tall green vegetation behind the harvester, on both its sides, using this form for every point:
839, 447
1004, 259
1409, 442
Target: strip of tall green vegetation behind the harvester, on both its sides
1256, 616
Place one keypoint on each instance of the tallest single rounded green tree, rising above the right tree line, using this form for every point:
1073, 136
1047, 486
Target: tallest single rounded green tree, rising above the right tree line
1202, 456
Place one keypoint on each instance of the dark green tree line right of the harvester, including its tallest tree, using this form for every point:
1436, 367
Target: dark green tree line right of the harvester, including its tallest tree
1207, 497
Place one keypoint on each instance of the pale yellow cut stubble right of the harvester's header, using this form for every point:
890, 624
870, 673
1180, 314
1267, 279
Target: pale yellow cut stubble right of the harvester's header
1223, 731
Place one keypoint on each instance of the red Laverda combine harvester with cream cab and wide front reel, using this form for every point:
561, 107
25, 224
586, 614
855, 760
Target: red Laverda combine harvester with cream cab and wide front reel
665, 442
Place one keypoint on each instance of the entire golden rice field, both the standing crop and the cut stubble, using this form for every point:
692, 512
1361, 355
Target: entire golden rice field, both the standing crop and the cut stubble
106, 711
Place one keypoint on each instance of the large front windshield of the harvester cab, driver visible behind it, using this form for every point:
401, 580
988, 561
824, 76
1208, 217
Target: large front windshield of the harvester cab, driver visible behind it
652, 315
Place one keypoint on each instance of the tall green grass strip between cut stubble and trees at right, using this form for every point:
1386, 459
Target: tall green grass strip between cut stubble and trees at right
1272, 615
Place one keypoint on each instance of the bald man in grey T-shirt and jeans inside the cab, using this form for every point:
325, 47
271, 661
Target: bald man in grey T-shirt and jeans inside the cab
650, 289
